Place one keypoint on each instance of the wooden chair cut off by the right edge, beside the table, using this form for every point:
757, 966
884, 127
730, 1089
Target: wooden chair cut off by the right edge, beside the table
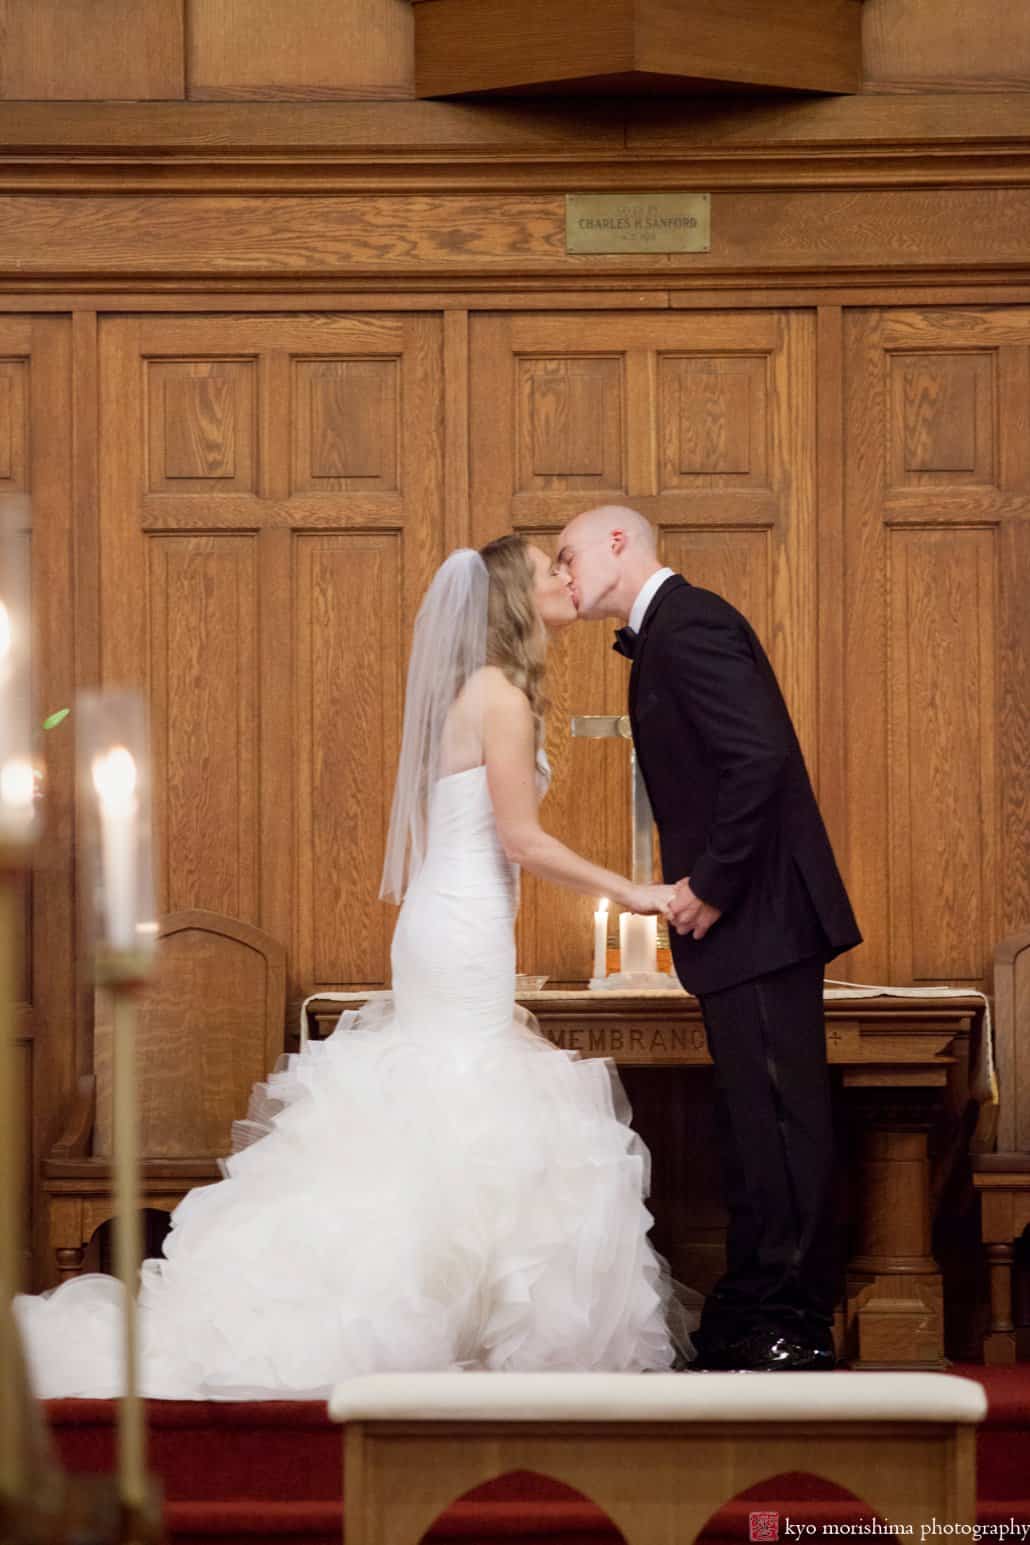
1005, 1177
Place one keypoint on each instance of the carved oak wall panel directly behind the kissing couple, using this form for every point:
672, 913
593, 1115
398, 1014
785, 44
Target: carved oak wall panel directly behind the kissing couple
706, 426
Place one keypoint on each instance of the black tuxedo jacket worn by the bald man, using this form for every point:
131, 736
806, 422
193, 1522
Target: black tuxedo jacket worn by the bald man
733, 800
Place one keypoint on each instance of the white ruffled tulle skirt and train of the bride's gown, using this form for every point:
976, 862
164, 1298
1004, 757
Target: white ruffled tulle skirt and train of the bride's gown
398, 1203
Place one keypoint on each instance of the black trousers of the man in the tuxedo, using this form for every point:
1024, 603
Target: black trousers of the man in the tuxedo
776, 1138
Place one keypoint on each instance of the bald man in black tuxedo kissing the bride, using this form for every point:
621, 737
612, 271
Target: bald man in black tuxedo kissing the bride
759, 911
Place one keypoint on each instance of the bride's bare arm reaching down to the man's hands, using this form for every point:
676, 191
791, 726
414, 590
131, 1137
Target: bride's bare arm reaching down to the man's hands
510, 756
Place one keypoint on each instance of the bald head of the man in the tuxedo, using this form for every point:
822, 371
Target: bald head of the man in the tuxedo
609, 552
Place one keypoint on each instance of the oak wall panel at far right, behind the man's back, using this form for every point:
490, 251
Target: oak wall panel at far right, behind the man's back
938, 636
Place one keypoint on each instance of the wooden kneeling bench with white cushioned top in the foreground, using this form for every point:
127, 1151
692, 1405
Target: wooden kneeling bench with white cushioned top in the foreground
660, 1453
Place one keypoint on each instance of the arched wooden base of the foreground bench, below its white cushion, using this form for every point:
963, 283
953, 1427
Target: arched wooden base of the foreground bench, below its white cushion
656, 1481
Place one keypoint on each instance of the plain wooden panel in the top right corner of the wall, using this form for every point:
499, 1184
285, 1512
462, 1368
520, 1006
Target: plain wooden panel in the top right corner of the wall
946, 46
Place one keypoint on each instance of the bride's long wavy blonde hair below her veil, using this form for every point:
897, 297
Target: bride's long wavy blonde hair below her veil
517, 640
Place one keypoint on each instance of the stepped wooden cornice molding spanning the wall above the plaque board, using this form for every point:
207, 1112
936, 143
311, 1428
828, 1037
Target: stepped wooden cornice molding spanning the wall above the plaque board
388, 149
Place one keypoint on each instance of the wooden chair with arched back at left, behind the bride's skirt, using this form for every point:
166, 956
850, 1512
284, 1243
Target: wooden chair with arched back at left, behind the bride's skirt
211, 1027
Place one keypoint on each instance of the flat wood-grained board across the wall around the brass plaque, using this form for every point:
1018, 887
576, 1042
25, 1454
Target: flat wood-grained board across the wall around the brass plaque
815, 234
